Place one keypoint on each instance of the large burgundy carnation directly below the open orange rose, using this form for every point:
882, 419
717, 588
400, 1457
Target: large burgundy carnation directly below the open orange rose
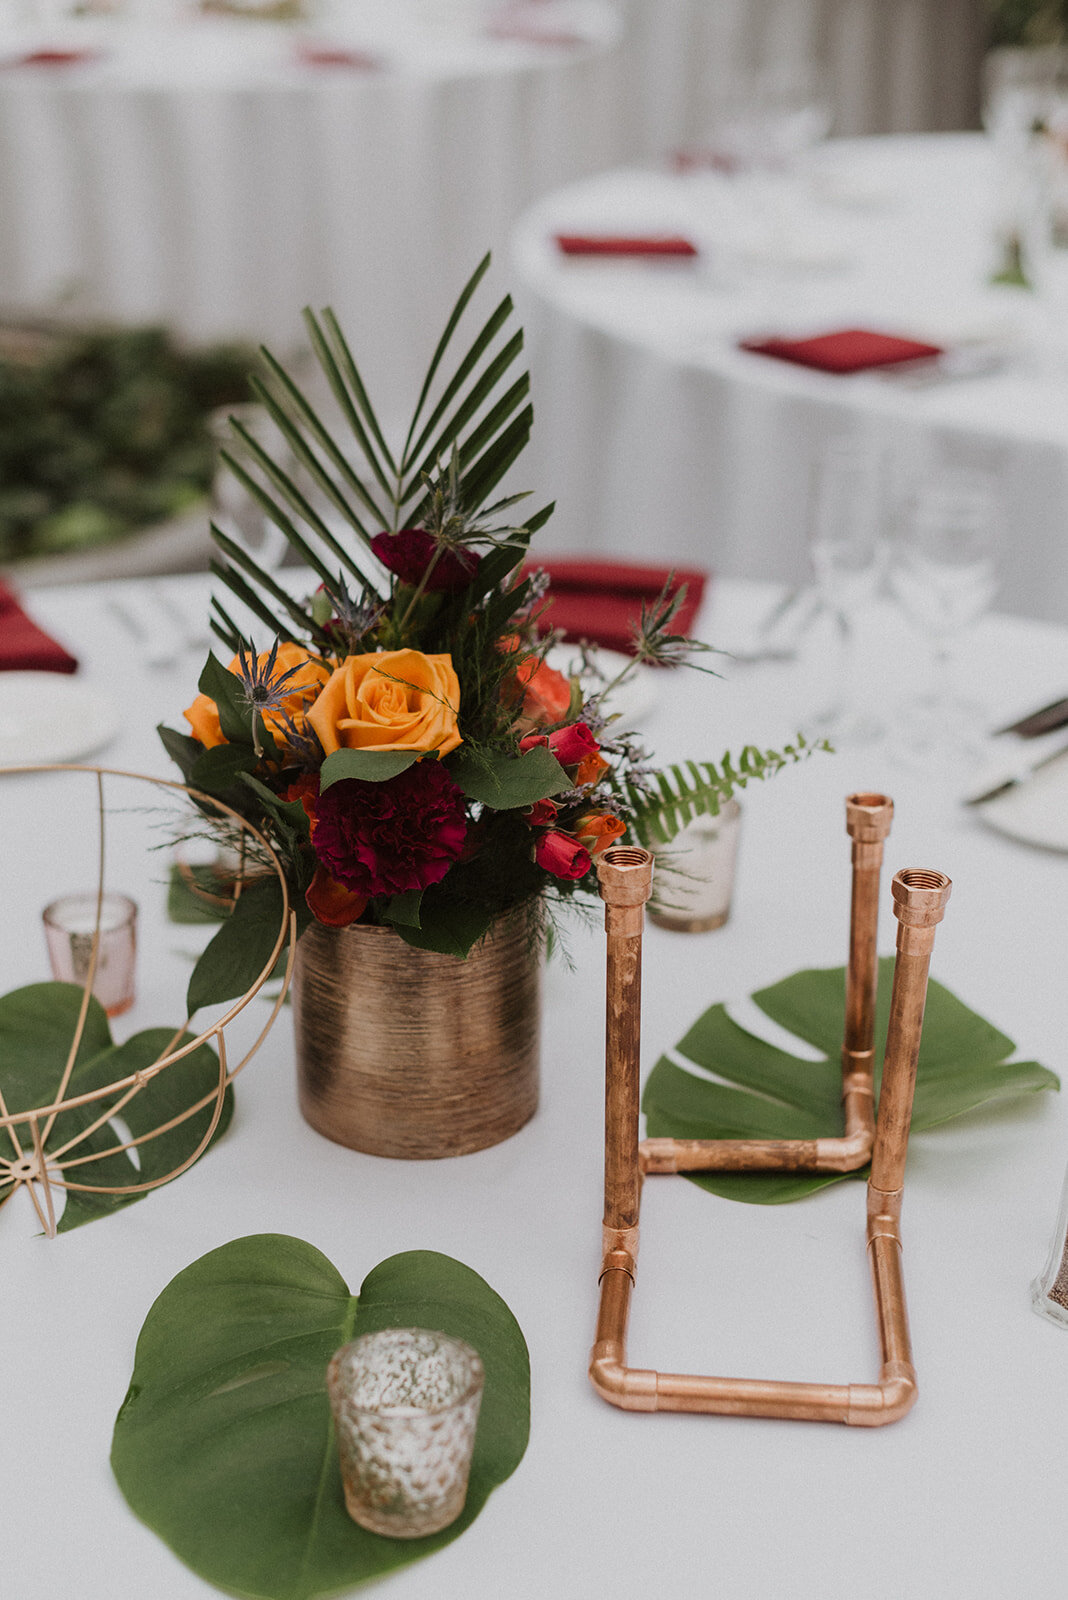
393, 838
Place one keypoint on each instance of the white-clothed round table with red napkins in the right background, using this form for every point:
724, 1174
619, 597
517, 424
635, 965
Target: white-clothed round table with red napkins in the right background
658, 433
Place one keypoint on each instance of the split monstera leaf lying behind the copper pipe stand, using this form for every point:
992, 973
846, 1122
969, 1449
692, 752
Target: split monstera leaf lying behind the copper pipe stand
765, 1092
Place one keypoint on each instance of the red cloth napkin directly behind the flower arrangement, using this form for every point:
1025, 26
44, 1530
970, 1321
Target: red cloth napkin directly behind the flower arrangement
602, 601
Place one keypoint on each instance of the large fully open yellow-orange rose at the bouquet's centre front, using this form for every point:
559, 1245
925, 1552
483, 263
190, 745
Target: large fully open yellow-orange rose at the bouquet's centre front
389, 700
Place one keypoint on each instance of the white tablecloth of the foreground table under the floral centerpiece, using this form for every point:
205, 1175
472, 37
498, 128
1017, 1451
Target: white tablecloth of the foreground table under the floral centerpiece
962, 1500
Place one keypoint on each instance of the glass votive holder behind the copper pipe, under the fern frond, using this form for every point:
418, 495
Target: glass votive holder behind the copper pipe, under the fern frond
696, 873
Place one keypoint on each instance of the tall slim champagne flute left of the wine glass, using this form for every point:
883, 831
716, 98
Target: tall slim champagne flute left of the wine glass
847, 553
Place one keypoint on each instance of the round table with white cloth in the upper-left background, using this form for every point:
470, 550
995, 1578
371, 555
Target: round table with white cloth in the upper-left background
220, 174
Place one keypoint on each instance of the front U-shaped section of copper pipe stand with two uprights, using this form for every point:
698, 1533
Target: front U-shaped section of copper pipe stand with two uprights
919, 903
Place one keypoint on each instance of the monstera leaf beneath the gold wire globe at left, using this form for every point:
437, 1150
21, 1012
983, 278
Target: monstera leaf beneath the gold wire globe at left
38, 1026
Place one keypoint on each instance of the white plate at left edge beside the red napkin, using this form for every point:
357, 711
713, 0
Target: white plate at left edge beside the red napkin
52, 718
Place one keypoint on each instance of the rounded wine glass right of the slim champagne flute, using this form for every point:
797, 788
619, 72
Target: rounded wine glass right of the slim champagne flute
946, 577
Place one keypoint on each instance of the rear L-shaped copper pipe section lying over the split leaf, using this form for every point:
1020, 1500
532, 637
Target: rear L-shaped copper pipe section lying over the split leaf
869, 820
